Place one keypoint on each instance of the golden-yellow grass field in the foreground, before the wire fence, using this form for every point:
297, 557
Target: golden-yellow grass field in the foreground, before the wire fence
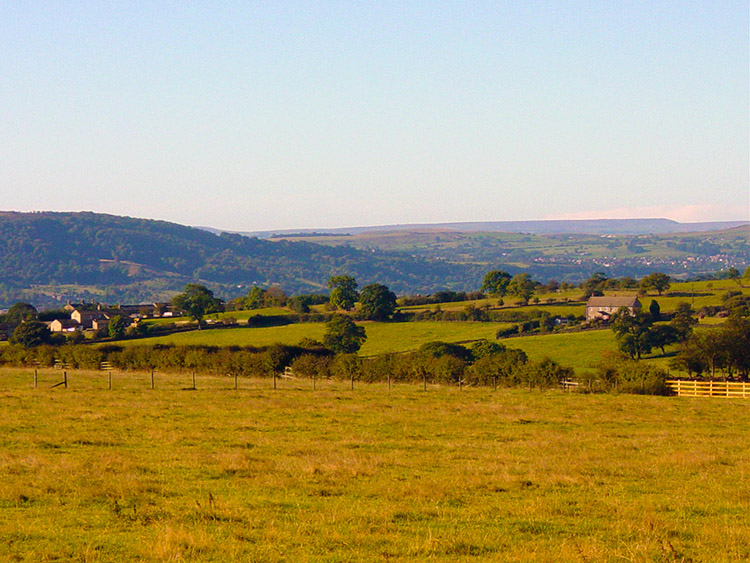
336, 475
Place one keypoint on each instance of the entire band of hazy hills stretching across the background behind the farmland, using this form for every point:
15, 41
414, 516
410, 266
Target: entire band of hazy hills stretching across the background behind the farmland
48, 258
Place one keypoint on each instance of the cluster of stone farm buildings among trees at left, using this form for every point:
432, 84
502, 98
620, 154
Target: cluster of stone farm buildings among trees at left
86, 316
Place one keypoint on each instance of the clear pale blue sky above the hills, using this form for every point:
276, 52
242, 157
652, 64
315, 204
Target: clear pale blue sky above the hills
261, 115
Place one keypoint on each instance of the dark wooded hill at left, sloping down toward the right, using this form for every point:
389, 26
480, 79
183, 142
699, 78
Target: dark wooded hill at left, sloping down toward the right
48, 258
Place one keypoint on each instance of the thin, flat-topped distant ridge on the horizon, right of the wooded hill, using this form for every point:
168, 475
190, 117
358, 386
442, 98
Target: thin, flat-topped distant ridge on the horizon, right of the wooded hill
551, 227
